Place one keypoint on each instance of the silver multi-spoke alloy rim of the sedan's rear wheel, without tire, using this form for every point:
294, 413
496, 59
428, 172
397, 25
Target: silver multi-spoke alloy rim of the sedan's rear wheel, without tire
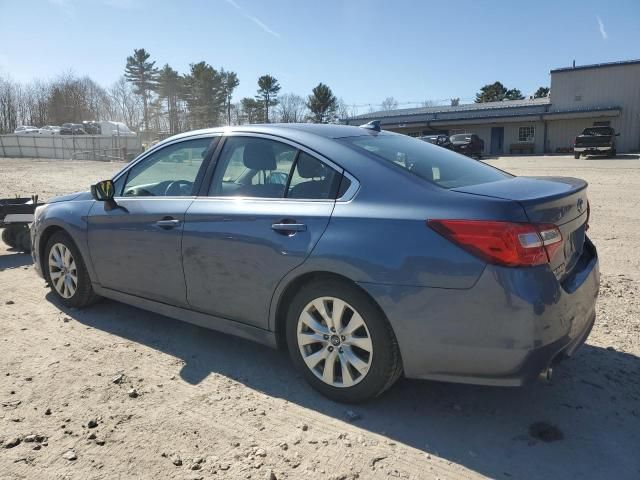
334, 342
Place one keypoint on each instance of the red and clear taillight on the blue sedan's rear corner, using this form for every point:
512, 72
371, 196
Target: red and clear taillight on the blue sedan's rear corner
503, 243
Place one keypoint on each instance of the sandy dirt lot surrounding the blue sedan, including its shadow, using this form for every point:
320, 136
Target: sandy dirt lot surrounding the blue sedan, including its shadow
210, 406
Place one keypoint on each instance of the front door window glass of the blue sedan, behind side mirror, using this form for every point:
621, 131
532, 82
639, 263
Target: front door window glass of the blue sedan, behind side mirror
169, 172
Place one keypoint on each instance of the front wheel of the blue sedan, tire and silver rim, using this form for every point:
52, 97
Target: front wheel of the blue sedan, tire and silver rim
80, 296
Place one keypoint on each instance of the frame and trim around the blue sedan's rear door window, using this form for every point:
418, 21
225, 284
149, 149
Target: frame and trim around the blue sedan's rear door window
213, 164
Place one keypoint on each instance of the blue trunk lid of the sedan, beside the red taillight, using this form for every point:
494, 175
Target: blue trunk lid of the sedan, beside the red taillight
561, 201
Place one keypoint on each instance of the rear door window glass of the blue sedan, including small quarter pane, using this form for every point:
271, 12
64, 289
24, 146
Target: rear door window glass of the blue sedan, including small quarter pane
263, 168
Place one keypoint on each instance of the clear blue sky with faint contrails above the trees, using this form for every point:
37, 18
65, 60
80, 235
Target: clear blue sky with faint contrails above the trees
365, 50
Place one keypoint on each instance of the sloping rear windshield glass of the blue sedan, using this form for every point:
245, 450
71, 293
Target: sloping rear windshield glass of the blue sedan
429, 162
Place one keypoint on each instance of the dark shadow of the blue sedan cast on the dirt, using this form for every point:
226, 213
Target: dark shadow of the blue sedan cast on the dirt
586, 424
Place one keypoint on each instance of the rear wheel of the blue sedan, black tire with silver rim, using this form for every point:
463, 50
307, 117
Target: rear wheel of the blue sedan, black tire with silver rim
370, 370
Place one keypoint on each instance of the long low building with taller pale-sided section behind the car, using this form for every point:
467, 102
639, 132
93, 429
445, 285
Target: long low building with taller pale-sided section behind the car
603, 94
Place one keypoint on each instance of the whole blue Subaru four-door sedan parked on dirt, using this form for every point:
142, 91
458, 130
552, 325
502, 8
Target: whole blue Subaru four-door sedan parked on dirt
367, 254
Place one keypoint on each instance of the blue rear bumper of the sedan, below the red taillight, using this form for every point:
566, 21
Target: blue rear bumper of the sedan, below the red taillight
507, 329
